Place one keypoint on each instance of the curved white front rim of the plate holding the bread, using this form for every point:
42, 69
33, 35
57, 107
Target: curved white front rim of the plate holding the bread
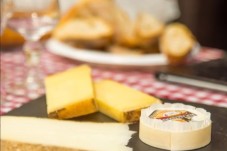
92, 56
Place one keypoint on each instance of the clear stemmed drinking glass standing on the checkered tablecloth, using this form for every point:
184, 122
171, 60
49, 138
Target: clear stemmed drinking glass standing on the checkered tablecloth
32, 19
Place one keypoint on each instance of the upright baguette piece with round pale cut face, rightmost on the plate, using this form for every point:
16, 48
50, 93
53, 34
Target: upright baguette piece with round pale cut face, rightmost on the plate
177, 42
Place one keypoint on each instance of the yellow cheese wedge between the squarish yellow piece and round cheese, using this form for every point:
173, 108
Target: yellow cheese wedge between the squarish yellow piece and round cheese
121, 102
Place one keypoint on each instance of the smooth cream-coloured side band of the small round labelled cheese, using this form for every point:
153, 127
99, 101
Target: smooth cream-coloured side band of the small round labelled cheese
174, 140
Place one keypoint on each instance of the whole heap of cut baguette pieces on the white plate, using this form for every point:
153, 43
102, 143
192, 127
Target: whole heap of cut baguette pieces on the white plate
111, 27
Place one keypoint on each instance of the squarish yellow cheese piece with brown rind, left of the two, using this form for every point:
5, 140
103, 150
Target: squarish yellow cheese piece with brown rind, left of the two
70, 93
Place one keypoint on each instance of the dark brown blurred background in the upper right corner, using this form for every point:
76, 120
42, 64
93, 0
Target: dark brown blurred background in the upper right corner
207, 19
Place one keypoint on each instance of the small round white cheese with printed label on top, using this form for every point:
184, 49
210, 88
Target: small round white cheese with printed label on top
175, 126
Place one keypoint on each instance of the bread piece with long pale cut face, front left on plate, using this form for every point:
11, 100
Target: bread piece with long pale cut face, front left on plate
88, 32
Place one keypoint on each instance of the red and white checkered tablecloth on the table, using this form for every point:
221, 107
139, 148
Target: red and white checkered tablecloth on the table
12, 61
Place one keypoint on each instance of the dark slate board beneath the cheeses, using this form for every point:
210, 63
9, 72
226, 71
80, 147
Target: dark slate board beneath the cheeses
37, 108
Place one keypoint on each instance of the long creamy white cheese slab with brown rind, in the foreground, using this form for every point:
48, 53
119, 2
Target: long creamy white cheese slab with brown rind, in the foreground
42, 134
